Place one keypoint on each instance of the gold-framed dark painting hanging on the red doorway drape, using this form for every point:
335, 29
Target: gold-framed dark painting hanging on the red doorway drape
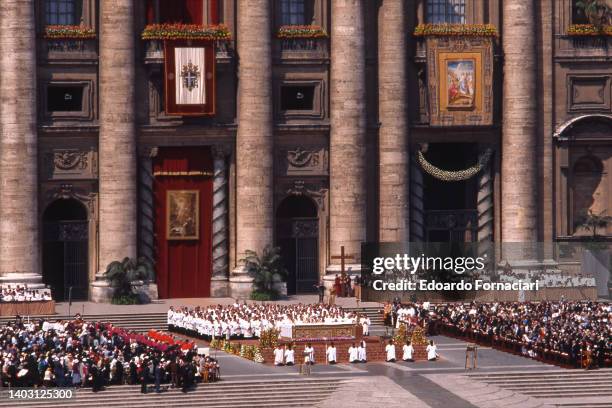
183, 214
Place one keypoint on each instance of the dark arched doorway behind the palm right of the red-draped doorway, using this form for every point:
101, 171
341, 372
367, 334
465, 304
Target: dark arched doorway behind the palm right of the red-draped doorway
297, 234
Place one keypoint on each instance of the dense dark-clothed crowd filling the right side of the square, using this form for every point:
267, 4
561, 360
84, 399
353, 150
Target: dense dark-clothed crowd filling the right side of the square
577, 332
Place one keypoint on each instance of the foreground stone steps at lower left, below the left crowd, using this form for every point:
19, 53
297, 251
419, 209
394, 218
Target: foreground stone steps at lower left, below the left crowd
281, 393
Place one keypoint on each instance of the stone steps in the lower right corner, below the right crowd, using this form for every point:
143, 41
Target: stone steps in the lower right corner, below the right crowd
567, 388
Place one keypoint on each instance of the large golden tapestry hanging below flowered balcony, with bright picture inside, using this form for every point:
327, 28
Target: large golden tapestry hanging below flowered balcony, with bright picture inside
460, 81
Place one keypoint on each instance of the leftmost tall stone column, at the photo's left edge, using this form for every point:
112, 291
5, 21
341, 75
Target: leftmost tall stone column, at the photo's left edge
19, 234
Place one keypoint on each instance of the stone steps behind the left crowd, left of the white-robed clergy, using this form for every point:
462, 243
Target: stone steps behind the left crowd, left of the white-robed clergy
134, 322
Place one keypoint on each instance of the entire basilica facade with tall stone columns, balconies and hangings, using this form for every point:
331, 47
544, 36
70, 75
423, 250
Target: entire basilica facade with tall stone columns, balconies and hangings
185, 133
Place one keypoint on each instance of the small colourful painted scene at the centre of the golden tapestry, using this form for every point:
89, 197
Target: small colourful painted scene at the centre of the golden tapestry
460, 76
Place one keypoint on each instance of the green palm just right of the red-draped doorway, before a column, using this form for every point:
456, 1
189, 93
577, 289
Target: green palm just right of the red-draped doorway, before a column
267, 272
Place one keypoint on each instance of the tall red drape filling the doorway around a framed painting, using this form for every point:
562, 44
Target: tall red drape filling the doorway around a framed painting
184, 265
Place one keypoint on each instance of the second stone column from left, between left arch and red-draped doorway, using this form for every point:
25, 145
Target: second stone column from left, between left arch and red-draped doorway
117, 141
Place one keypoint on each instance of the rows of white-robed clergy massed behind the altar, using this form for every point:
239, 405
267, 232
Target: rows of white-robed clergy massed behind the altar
245, 321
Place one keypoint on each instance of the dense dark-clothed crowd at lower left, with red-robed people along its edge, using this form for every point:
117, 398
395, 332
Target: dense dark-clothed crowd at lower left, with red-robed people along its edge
84, 354
